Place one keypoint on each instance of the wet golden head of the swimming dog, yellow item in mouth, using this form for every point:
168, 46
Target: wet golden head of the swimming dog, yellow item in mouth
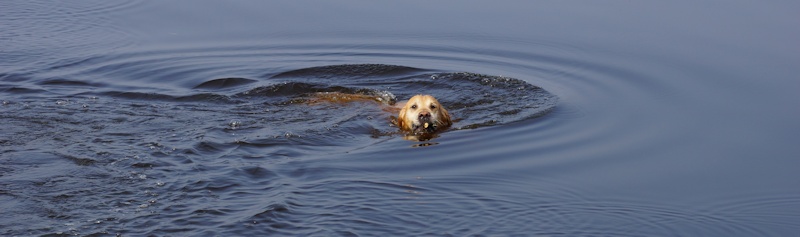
423, 114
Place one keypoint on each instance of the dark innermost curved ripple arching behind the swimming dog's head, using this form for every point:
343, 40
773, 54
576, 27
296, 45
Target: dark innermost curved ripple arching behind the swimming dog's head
475, 100
